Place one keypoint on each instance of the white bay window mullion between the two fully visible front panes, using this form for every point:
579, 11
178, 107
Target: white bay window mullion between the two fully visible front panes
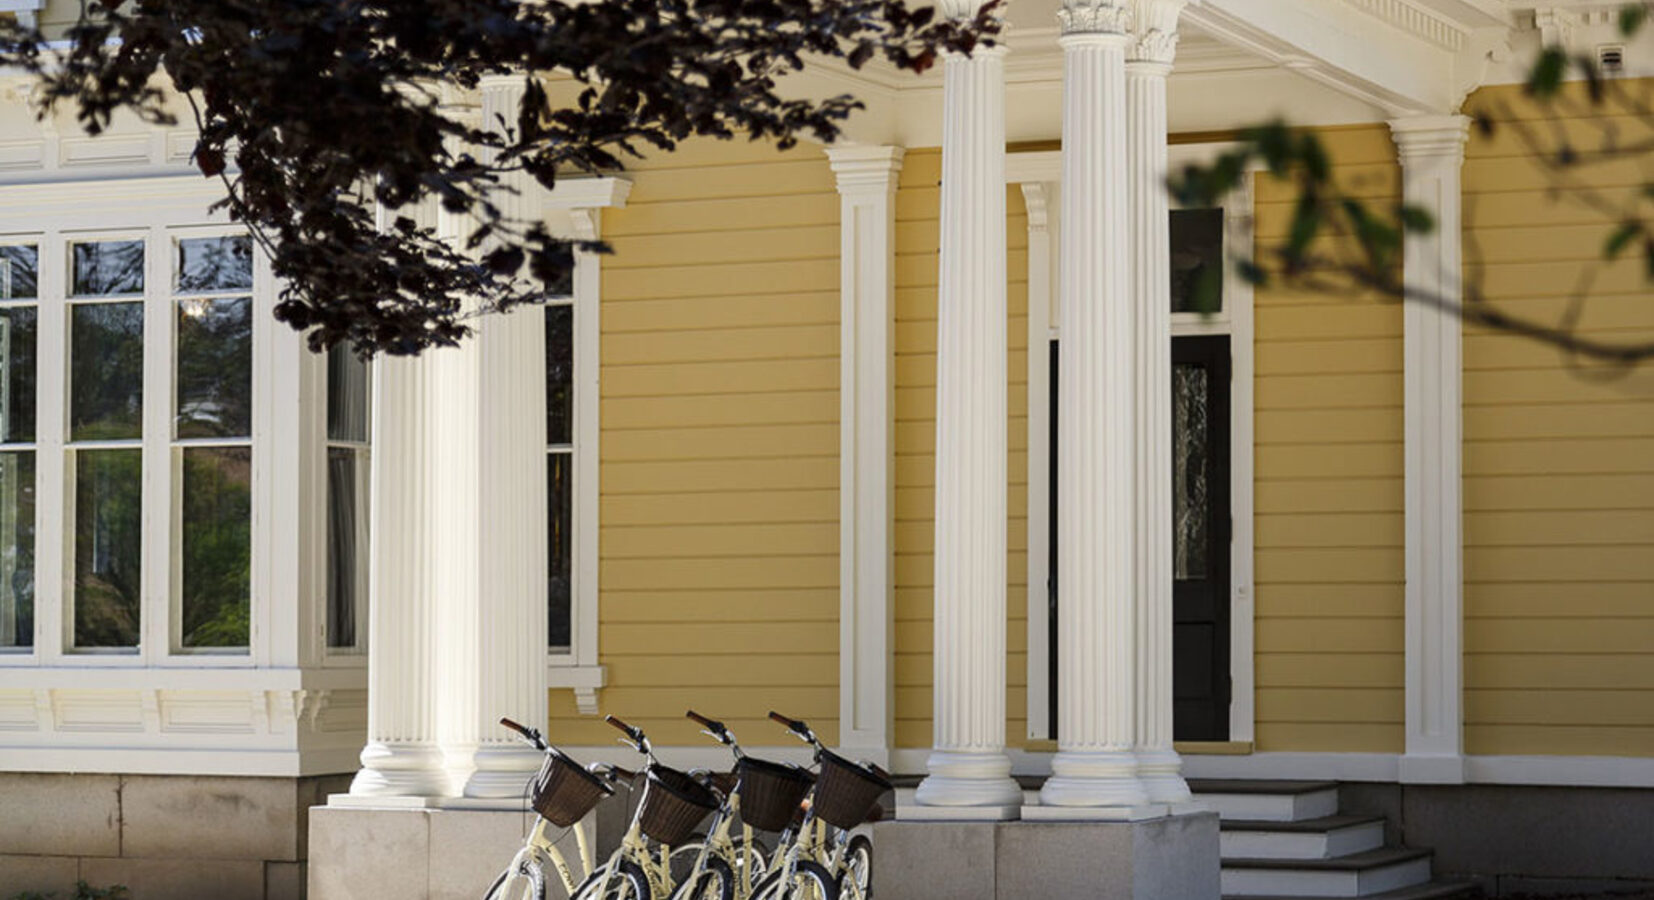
160, 537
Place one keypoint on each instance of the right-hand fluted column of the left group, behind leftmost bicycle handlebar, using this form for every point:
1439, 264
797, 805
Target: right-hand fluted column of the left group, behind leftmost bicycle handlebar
510, 449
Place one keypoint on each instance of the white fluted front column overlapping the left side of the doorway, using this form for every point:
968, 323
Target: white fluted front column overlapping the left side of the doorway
1096, 768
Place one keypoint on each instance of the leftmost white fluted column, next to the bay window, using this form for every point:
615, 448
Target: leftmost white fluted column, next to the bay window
403, 757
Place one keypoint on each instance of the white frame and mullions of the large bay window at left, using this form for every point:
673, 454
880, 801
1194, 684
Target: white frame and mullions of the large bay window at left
158, 211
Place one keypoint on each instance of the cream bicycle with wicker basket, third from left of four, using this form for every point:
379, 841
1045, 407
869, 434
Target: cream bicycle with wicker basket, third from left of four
757, 793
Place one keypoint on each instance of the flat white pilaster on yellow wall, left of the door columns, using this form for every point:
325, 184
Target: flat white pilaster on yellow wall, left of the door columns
868, 252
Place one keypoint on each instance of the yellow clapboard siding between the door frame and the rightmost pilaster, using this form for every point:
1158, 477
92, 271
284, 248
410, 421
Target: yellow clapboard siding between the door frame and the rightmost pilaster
1329, 497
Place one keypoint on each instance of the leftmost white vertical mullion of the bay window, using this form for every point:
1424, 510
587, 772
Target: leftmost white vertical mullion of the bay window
54, 529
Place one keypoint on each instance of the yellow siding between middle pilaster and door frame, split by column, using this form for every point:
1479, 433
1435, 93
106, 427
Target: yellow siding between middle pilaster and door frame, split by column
915, 448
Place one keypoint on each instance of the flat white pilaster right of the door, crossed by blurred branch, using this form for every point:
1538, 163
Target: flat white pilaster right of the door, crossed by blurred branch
1432, 155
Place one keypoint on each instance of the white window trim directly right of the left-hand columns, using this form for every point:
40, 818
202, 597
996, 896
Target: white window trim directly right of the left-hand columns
575, 209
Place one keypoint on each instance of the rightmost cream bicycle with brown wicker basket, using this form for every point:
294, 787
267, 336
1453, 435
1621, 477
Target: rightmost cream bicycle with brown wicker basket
820, 859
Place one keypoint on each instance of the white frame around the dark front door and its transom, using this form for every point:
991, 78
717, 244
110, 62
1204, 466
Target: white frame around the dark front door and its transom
1040, 176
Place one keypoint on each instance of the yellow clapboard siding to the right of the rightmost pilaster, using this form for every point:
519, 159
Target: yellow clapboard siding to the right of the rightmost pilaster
1559, 466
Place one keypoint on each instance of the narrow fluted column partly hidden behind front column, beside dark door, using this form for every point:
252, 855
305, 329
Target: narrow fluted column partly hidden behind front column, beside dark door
1155, 44
